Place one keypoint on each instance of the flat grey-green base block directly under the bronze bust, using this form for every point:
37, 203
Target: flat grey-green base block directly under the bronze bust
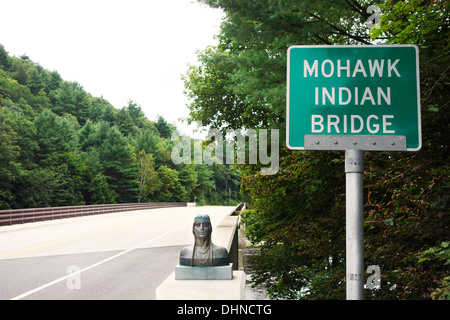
204, 273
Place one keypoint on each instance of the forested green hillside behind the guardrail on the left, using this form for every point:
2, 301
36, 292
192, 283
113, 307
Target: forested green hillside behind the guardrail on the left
61, 146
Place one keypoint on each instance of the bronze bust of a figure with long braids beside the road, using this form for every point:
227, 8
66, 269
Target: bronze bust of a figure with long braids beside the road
203, 252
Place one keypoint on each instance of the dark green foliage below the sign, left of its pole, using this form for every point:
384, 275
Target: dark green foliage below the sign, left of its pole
297, 219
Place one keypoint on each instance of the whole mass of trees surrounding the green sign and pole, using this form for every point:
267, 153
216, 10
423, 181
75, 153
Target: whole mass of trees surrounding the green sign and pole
297, 217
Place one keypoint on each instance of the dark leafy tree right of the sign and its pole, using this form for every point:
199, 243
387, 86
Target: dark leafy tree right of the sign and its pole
408, 195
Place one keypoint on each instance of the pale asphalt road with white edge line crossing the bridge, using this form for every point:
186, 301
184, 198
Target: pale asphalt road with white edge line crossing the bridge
105, 257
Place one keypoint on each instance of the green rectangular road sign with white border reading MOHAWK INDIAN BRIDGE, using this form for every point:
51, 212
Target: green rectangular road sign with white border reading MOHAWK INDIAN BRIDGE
341, 97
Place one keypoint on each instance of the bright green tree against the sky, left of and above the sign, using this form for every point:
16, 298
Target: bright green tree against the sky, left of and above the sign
242, 81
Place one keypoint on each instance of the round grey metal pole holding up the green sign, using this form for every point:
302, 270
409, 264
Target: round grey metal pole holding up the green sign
354, 171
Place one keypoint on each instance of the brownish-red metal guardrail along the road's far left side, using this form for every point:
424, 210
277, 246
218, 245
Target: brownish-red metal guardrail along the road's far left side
16, 216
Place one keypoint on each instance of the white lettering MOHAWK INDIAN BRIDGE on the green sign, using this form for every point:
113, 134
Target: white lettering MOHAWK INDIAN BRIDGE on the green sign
341, 96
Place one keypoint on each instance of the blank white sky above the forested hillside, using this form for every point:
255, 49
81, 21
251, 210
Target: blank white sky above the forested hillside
118, 49
